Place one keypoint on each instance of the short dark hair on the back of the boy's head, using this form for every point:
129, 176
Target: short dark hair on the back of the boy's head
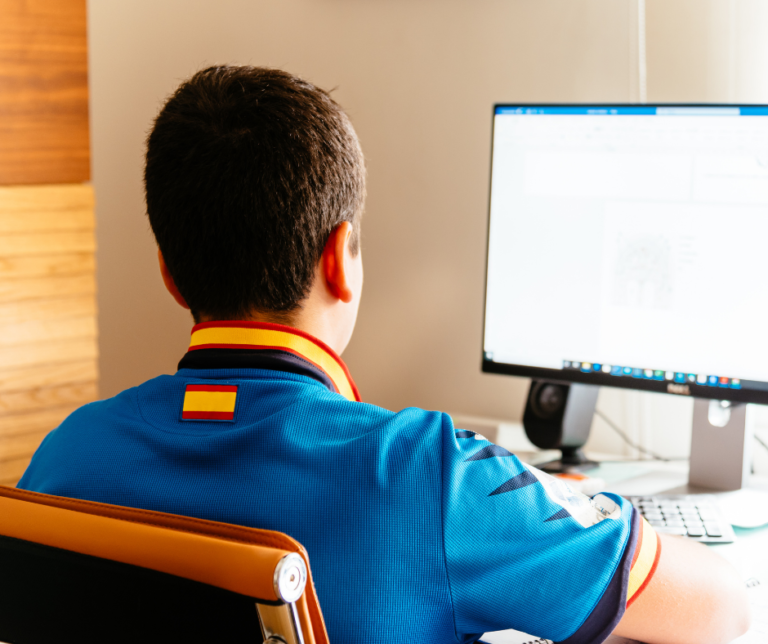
248, 170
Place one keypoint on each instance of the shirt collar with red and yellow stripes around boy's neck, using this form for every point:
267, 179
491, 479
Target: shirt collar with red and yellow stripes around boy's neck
222, 345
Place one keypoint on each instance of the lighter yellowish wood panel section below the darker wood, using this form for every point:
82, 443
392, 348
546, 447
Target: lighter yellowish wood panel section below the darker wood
48, 332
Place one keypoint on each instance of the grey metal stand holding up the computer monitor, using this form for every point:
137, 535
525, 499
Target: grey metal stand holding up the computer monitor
721, 445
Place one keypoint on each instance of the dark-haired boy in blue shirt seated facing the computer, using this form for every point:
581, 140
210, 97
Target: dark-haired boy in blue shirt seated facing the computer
416, 531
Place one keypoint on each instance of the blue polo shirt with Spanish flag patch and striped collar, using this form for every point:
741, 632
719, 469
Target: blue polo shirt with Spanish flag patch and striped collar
416, 531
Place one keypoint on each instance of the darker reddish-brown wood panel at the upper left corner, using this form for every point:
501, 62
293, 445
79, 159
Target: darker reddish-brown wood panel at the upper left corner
43, 92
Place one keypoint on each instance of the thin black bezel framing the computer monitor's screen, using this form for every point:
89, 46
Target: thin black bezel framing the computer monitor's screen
695, 390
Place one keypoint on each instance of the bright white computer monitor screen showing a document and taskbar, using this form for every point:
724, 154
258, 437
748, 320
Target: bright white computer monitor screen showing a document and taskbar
628, 247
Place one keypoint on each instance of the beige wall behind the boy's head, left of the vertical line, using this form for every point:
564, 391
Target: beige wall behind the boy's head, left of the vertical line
418, 78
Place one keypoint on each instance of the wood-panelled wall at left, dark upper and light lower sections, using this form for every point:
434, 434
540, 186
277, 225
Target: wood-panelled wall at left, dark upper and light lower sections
48, 330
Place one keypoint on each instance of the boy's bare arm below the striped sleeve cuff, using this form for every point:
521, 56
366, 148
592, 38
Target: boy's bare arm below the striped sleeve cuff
694, 596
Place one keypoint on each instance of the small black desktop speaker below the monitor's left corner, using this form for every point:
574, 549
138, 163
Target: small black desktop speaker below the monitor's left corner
559, 416
